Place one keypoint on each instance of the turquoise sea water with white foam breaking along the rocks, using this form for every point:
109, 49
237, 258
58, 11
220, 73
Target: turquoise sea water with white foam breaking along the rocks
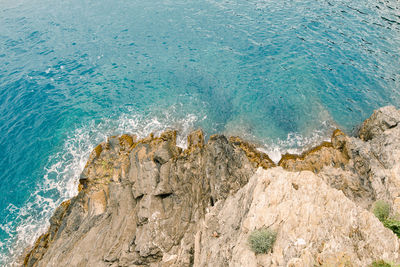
279, 73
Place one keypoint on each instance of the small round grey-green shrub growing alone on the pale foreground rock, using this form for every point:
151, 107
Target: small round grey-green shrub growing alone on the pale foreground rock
262, 240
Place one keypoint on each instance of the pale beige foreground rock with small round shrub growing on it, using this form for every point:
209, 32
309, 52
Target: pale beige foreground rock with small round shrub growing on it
315, 224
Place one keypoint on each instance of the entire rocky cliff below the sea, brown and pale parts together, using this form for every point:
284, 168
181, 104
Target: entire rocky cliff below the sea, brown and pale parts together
150, 203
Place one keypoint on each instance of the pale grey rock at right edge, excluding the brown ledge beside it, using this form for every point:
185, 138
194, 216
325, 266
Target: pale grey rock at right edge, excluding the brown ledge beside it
377, 161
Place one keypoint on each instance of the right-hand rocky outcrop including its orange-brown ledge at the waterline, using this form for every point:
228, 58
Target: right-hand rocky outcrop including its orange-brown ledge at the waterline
365, 169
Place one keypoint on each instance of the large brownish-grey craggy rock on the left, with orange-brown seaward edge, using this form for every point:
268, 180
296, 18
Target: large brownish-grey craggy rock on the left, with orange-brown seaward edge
139, 202
